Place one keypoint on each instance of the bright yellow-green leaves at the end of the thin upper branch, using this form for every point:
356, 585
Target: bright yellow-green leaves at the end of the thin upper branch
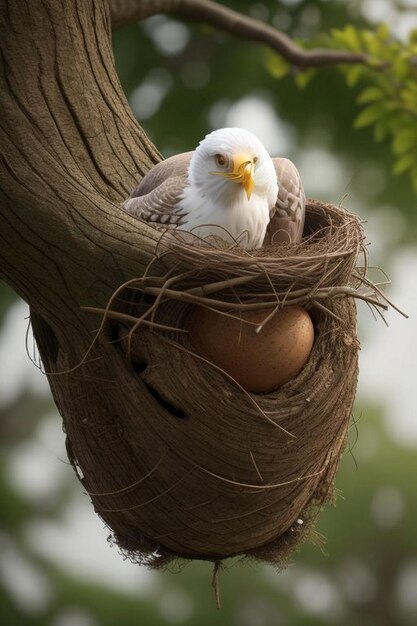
387, 86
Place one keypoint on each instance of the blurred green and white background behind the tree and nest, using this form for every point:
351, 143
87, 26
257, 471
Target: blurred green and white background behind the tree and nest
56, 568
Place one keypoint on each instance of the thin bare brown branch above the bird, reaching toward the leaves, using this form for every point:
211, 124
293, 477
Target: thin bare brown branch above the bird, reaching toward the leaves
228, 20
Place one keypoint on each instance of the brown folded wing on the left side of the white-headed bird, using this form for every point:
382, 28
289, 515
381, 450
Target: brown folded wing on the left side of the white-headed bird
155, 198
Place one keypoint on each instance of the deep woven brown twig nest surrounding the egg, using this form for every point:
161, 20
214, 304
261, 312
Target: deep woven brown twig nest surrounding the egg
216, 471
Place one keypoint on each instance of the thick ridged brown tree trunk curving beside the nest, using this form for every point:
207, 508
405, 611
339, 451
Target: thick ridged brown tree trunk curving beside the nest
71, 151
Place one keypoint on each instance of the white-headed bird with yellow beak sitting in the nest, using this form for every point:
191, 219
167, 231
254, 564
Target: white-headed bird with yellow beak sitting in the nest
228, 185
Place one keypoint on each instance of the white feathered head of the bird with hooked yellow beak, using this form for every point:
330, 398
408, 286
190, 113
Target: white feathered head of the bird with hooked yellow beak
230, 165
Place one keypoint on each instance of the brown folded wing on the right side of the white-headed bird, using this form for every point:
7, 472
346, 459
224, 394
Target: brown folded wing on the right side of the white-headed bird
287, 216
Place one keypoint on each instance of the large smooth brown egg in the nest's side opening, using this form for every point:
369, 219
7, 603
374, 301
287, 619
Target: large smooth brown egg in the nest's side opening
260, 362
